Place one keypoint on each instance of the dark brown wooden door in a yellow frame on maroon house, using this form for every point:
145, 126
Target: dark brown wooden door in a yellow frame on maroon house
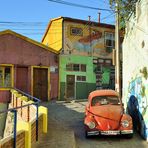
40, 83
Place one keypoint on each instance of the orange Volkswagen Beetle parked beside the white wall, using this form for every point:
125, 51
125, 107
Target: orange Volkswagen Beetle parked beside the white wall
104, 115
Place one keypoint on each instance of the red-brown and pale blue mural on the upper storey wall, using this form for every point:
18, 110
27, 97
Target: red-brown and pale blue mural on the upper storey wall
90, 44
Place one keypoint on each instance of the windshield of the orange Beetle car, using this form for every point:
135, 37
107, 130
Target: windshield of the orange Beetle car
104, 100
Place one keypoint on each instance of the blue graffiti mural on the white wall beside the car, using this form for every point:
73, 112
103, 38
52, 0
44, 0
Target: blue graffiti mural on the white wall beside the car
137, 103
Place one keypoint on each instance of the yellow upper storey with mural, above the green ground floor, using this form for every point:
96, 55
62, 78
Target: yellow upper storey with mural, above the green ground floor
80, 37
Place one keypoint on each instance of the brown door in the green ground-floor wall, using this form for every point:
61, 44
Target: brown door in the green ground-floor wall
70, 87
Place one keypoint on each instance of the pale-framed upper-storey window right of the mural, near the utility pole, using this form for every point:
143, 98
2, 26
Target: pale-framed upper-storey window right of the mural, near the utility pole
109, 39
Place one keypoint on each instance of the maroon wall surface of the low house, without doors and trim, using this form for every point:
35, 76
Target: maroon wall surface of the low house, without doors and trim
15, 50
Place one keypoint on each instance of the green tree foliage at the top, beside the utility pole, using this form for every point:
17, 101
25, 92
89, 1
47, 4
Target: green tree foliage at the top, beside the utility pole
126, 8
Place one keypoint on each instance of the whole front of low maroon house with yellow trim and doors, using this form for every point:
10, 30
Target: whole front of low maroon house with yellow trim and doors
27, 65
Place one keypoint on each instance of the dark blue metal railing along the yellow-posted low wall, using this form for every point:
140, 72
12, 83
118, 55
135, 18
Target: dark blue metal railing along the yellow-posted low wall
15, 109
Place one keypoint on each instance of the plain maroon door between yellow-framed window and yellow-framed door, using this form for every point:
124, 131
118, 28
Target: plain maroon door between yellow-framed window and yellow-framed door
22, 78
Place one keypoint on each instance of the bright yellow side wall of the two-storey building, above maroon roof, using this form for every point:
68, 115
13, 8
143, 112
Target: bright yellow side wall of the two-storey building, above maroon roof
53, 38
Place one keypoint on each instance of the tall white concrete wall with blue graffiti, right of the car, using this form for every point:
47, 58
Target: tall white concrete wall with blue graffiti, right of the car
135, 64
